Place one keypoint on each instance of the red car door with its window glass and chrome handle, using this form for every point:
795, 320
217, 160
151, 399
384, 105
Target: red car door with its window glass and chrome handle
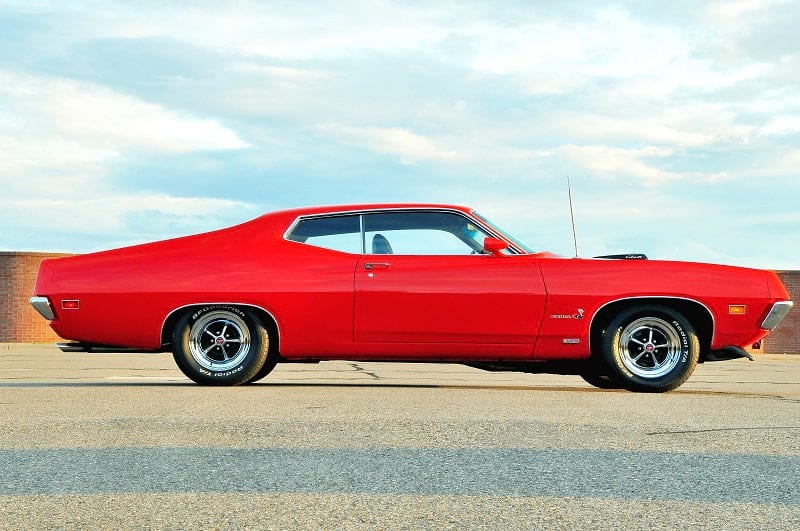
424, 288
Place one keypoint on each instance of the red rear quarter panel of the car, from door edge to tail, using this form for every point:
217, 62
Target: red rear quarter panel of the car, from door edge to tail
127, 294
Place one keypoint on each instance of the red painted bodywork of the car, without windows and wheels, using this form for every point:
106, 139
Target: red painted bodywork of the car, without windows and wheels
327, 305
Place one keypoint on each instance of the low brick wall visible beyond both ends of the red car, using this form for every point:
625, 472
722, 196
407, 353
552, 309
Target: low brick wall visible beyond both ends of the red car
20, 323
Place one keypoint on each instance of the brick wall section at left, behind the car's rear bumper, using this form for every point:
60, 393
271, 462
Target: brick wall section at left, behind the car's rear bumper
19, 322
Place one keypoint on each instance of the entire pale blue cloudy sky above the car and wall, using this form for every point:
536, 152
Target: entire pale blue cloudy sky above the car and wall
678, 124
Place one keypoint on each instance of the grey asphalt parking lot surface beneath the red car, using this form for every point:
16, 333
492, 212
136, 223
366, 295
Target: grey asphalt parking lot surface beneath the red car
126, 441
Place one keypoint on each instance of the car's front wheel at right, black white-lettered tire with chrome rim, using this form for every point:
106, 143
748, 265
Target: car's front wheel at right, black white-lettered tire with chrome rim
650, 348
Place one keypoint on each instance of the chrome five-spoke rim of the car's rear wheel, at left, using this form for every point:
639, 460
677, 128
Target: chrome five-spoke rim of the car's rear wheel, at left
219, 341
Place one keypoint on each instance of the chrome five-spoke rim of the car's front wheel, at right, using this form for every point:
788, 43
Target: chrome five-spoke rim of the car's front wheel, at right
650, 347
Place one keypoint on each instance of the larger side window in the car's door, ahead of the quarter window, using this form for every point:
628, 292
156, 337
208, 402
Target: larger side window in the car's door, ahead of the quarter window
422, 233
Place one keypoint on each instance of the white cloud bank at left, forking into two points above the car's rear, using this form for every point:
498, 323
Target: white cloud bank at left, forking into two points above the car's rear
59, 142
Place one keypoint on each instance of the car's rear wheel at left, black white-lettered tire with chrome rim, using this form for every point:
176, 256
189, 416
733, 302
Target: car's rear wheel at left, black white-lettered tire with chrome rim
220, 344
